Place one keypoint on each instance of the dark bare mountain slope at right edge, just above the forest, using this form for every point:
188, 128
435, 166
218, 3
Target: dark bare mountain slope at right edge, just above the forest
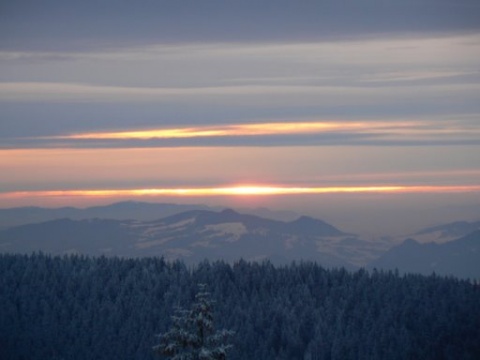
459, 257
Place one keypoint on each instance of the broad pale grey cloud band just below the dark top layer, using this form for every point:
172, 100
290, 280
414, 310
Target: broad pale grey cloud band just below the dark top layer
261, 74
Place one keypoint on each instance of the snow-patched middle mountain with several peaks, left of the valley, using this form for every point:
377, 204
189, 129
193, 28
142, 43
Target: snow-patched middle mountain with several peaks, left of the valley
192, 236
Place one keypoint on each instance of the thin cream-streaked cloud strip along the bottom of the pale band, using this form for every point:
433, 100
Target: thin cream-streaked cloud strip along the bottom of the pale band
248, 94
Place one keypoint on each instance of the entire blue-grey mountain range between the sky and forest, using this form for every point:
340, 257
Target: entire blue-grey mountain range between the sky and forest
192, 233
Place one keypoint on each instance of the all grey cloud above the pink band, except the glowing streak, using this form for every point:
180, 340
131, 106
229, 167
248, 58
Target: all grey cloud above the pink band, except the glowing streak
218, 62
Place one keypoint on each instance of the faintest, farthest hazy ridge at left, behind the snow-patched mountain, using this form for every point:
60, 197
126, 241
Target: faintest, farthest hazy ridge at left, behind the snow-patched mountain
127, 210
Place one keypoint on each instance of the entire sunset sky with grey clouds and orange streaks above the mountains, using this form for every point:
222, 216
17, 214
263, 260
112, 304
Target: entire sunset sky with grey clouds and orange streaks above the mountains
365, 113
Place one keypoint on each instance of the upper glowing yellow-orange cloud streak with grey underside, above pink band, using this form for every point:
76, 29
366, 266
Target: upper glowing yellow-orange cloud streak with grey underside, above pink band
285, 133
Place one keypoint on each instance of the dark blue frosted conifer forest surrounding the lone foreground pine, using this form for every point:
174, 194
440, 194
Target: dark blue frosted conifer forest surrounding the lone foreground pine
77, 307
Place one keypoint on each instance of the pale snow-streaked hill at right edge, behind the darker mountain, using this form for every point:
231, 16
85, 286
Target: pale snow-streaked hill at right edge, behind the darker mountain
446, 232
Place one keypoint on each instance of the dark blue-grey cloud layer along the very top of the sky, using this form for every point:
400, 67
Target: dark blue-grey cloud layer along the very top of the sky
57, 24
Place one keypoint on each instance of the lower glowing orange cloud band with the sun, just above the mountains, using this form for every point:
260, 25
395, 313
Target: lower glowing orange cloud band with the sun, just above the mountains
241, 191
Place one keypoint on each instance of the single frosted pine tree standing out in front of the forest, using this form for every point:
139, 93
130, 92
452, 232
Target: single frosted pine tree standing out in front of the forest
193, 335
